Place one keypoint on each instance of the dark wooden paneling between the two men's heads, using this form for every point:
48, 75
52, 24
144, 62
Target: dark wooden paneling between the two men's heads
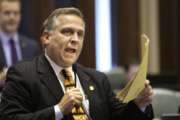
37, 12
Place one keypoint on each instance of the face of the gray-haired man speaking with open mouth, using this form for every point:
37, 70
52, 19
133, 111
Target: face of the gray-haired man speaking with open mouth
65, 42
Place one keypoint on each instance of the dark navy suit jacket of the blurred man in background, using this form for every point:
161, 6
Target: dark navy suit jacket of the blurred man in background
29, 49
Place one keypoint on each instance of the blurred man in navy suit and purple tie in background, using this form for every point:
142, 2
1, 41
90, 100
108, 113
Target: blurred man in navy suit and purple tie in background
13, 46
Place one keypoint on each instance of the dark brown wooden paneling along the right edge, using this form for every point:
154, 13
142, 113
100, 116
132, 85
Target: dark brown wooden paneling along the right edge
169, 36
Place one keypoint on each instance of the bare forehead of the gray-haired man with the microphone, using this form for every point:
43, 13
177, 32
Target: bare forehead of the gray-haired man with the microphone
70, 21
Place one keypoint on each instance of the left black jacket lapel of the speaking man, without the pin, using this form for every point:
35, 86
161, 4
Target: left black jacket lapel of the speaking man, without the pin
49, 78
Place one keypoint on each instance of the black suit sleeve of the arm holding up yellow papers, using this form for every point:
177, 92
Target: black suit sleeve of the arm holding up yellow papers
124, 111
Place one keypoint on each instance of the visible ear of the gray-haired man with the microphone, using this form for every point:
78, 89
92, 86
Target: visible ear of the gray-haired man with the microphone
45, 39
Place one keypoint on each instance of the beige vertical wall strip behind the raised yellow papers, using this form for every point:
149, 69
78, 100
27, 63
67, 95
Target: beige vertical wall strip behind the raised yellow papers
150, 26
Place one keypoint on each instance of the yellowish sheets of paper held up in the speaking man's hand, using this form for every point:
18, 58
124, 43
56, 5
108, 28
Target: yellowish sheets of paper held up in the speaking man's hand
137, 84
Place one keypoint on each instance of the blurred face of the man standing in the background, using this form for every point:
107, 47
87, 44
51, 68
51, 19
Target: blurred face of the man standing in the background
9, 16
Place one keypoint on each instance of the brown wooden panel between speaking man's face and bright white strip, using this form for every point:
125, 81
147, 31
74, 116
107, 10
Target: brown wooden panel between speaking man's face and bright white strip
87, 56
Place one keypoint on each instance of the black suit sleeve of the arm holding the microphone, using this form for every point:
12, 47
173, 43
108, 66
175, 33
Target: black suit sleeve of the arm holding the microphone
16, 102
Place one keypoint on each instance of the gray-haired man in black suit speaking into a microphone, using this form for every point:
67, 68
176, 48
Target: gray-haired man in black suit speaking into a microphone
36, 90
